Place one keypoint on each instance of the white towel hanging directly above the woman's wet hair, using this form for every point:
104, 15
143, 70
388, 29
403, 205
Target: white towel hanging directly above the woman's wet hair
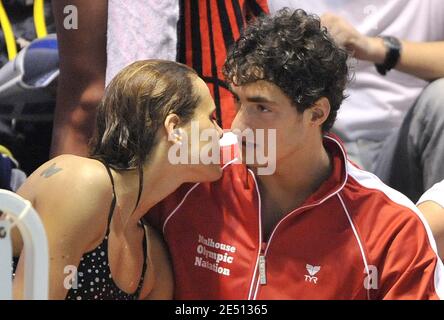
139, 30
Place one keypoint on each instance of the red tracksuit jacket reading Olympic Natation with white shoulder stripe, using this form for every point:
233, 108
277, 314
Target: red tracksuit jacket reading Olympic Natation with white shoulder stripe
355, 238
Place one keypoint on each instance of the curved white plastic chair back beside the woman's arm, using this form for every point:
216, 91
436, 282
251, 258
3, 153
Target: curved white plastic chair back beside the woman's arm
35, 248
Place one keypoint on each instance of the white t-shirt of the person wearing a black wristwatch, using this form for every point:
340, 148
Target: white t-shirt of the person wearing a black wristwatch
377, 104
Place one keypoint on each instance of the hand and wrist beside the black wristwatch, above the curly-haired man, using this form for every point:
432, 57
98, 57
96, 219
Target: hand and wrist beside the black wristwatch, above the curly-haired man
346, 36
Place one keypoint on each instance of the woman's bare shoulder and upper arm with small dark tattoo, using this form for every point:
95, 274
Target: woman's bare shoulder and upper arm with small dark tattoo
68, 201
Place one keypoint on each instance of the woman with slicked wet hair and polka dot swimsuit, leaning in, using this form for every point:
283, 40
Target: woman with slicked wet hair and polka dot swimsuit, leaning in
92, 207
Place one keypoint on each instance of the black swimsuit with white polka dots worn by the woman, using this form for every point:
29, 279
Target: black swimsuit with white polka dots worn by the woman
94, 279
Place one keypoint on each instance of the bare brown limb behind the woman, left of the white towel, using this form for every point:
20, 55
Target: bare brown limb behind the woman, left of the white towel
82, 75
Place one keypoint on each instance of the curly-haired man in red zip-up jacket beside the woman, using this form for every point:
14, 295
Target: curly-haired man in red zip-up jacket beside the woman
317, 227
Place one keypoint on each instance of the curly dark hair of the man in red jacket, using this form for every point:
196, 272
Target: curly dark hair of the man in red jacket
293, 51
